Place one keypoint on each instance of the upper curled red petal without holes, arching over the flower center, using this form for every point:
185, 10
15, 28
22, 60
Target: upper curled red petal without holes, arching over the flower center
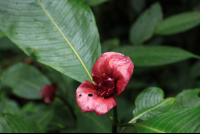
116, 66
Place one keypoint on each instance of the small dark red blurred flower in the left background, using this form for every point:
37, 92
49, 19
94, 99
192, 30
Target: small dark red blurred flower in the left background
48, 92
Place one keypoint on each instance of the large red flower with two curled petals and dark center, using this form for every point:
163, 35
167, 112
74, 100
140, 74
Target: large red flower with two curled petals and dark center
111, 74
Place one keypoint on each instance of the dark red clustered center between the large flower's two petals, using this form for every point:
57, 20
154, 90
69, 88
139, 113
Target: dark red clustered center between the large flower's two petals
105, 86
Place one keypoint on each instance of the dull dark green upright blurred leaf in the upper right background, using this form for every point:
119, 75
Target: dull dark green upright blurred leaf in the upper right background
144, 26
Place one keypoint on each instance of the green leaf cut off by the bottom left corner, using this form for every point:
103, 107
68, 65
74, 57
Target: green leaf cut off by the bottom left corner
14, 124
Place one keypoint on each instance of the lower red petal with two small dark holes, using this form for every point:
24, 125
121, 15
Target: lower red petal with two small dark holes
88, 101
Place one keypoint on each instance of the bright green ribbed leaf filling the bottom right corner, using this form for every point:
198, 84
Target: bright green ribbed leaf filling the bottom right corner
179, 121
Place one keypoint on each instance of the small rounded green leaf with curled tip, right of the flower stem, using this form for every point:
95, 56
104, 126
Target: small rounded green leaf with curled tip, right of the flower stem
150, 103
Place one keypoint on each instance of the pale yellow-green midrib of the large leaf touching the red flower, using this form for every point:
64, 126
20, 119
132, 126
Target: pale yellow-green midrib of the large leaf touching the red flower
79, 58
